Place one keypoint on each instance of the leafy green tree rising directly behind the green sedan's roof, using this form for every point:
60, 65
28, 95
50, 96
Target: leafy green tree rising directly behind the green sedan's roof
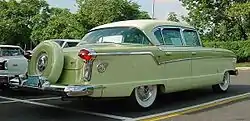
97, 12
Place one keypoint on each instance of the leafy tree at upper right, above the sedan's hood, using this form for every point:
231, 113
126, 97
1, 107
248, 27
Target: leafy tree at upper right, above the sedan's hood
212, 17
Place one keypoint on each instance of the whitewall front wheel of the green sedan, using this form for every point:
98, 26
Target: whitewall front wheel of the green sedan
223, 87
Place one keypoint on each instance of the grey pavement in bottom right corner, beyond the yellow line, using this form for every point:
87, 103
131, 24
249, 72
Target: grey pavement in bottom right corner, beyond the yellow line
233, 112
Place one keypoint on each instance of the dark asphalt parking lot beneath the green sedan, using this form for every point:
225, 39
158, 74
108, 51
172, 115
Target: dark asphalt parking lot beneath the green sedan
34, 106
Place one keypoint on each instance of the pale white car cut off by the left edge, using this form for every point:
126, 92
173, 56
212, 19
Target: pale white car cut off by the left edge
12, 63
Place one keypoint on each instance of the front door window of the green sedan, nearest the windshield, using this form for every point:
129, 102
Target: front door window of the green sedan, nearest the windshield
191, 38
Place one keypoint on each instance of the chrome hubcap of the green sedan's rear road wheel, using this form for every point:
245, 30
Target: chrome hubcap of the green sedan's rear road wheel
144, 92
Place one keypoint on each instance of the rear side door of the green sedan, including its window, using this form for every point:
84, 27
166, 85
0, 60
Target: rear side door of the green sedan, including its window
177, 59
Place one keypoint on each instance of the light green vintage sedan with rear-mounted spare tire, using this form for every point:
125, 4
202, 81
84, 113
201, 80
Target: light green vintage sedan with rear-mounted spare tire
138, 59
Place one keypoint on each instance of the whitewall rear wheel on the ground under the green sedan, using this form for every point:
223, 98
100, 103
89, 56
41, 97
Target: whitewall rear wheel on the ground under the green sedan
144, 96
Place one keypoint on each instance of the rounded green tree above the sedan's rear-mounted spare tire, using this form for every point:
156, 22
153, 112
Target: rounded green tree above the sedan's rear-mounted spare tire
61, 23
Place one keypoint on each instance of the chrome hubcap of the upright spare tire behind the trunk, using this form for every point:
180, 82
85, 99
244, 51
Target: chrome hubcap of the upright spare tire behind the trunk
42, 62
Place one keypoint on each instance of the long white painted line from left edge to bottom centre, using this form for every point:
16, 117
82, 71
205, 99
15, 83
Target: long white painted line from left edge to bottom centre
67, 109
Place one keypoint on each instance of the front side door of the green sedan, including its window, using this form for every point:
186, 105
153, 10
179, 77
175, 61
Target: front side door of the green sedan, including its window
203, 63
